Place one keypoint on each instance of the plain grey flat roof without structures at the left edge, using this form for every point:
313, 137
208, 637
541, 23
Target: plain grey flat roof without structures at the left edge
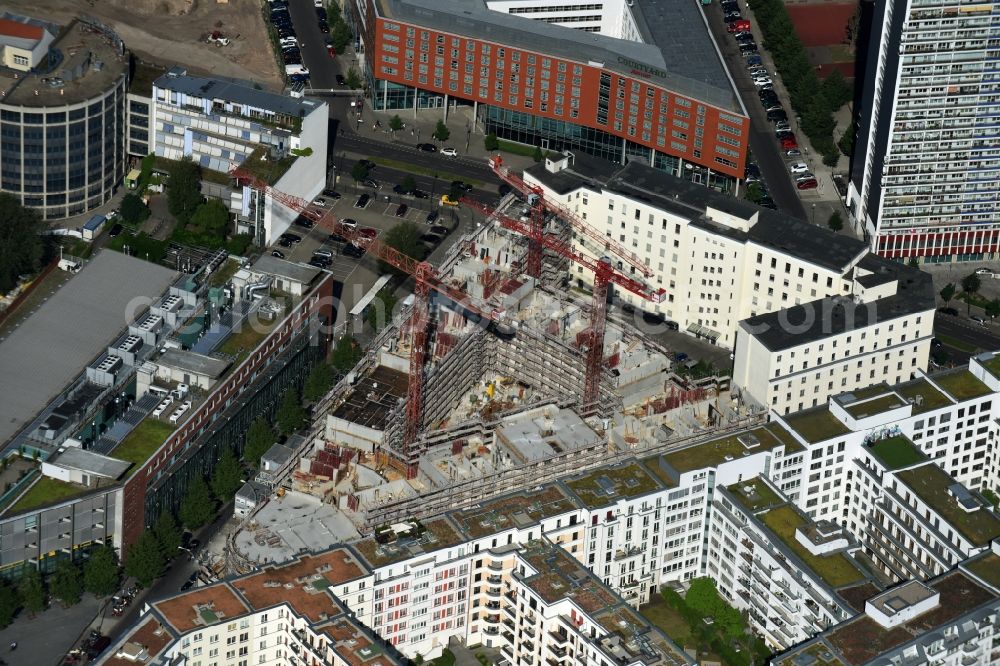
54, 345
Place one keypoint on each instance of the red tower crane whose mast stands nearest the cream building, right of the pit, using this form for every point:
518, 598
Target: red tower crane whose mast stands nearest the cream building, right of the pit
604, 274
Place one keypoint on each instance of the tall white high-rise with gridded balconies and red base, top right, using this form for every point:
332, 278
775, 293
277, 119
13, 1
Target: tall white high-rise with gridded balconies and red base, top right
923, 181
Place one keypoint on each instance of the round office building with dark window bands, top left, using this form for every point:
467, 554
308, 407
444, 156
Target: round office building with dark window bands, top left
62, 115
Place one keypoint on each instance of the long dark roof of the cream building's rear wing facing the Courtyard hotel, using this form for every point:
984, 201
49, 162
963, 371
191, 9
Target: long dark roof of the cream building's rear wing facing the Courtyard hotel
640, 182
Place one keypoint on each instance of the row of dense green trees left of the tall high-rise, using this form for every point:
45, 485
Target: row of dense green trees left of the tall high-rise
814, 101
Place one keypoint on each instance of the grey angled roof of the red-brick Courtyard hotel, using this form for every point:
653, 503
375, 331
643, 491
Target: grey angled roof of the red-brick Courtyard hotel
680, 56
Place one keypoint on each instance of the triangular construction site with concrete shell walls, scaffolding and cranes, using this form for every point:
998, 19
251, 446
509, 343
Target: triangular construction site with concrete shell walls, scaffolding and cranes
497, 378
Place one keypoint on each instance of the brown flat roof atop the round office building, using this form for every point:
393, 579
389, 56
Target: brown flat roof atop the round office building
77, 48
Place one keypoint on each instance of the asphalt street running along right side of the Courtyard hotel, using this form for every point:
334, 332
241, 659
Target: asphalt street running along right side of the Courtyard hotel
763, 144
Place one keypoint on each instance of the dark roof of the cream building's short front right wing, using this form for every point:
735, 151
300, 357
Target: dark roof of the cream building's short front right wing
829, 316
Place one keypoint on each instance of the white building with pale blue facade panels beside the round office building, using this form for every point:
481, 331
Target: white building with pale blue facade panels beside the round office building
220, 124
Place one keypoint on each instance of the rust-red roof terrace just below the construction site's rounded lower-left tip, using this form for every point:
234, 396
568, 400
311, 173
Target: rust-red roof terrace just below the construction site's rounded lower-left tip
302, 583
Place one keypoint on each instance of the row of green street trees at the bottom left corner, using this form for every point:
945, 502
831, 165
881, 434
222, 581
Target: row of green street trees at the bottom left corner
99, 575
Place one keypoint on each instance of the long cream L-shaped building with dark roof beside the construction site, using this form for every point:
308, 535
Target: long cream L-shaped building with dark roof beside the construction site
770, 287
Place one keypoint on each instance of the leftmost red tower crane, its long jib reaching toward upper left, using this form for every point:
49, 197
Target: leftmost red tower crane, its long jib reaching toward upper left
424, 274
